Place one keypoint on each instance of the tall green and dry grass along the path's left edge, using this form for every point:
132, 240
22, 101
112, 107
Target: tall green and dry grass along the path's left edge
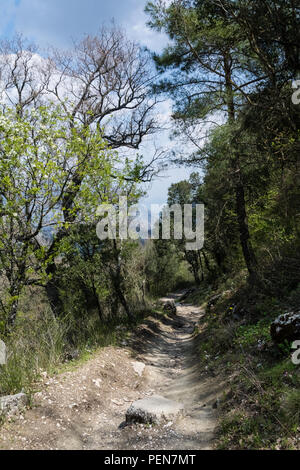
41, 342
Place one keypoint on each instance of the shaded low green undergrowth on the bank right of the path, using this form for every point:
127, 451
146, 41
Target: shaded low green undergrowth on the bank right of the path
260, 408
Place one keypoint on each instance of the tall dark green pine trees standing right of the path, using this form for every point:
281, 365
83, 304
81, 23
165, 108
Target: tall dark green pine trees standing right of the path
222, 68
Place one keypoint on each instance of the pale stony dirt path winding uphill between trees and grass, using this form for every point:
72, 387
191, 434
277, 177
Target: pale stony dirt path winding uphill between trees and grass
84, 408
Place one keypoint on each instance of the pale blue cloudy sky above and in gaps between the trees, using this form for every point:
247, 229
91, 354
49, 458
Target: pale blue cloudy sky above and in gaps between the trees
58, 22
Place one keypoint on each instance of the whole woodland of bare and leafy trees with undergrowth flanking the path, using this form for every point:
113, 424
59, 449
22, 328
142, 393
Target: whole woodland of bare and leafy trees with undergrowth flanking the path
71, 127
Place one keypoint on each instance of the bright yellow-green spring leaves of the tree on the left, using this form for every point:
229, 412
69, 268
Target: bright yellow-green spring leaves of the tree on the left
40, 155
